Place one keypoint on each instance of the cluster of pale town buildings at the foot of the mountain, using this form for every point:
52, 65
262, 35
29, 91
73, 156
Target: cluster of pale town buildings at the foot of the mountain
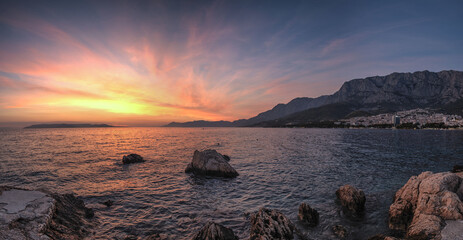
418, 116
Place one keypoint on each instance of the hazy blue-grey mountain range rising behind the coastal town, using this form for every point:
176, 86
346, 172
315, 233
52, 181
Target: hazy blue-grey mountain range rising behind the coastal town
442, 91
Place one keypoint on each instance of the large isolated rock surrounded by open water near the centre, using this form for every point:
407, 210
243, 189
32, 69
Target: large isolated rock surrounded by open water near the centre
211, 163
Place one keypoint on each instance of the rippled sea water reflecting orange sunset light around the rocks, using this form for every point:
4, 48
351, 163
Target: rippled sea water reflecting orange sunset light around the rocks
279, 168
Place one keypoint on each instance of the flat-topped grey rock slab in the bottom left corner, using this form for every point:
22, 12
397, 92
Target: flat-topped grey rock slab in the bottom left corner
26, 214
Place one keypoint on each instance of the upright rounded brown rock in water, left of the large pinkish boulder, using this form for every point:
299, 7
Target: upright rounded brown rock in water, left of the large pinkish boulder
352, 199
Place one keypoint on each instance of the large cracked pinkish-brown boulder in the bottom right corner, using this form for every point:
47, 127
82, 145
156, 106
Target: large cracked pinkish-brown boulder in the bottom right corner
423, 204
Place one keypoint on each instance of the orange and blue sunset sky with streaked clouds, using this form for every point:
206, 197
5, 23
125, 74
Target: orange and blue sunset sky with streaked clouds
147, 63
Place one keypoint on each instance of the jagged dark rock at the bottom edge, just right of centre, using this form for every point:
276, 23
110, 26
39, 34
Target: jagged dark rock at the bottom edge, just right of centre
271, 224
